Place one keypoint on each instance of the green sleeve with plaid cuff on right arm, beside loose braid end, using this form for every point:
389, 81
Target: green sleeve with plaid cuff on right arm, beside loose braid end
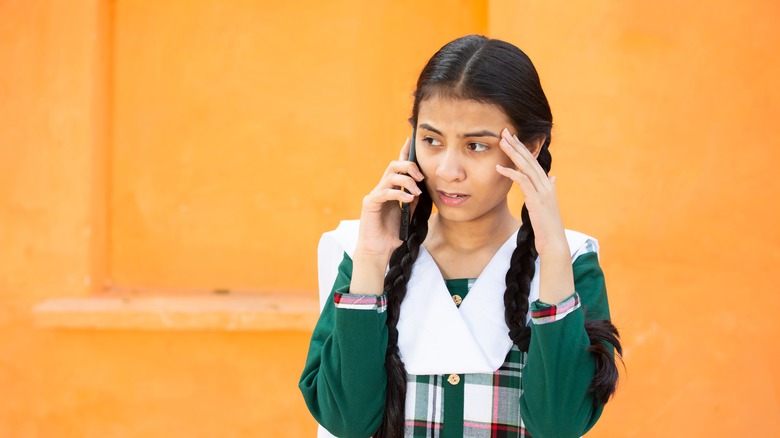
559, 369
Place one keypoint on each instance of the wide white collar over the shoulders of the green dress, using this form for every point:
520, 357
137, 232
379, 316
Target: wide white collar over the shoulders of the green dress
435, 336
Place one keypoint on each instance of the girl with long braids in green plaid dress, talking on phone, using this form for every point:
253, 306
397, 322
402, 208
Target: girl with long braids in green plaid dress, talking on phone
480, 324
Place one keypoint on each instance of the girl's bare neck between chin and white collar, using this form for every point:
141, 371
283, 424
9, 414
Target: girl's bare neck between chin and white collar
488, 230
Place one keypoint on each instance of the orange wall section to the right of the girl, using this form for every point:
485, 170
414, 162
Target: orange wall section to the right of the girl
665, 147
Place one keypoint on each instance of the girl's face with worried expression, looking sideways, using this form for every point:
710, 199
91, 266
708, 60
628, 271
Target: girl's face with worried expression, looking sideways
457, 150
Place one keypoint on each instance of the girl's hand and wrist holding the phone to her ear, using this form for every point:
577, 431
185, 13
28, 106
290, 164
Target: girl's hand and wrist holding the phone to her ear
380, 219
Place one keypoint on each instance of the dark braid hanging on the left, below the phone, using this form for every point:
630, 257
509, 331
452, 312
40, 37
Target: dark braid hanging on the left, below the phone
400, 269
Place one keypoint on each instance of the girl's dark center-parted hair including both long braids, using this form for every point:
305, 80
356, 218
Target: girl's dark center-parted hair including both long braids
494, 72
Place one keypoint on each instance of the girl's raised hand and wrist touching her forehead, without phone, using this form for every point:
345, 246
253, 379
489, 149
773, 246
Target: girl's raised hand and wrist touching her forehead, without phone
540, 197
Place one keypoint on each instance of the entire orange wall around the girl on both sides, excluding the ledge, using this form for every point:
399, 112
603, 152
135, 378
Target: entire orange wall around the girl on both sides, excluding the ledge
180, 146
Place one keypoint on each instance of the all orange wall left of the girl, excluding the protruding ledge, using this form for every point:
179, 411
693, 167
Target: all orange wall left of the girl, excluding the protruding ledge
114, 116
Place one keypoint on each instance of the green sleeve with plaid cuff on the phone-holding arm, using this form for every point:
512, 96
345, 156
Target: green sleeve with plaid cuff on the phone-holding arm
344, 379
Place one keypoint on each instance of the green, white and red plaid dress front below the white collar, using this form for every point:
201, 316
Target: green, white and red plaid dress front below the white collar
493, 410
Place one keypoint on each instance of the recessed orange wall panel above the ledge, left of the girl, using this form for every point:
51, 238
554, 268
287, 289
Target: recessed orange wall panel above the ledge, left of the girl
237, 126
